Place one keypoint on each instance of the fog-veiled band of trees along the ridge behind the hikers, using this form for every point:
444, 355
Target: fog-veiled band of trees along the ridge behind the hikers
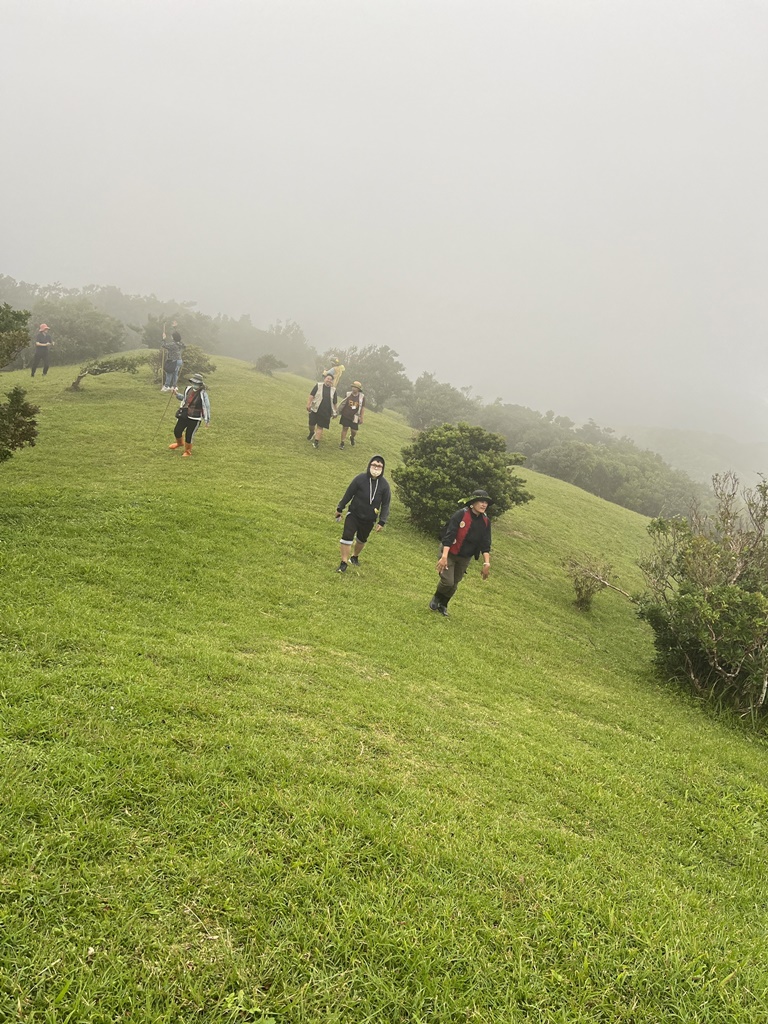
100, 320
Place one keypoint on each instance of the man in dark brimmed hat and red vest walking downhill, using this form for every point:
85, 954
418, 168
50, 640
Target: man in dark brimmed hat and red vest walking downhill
466, 536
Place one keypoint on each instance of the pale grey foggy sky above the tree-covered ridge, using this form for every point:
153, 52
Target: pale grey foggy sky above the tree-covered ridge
562, 203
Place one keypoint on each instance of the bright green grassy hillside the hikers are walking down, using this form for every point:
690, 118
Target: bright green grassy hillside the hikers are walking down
240, 787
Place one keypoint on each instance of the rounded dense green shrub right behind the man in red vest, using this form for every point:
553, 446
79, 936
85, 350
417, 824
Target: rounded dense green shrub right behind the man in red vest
444, 466
